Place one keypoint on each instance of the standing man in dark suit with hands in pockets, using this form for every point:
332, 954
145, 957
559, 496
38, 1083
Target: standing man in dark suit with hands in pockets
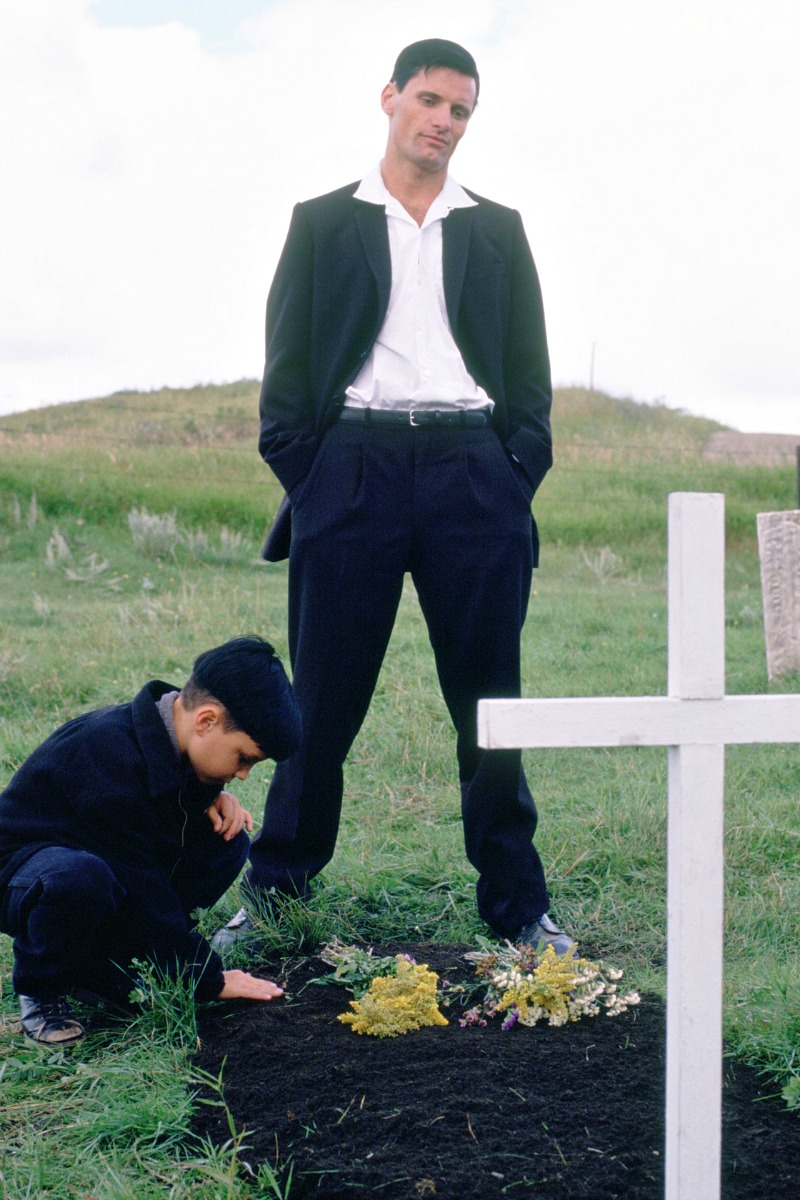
406, 411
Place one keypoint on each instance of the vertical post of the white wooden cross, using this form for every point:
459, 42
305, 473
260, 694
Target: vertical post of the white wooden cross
695, 853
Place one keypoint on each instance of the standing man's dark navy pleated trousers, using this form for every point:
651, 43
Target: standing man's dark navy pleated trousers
450, 508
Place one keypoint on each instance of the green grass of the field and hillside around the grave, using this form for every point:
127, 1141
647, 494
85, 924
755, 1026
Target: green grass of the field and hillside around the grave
88, 617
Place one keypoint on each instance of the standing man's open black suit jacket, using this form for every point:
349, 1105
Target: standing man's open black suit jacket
328, 304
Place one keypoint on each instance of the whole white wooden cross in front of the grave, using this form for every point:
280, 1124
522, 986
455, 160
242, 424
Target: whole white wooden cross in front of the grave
695, 721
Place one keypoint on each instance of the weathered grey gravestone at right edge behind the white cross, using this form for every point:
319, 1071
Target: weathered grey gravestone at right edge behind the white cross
779, 551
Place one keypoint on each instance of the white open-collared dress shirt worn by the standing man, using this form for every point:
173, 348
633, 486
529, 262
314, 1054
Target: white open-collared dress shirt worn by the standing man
416, 362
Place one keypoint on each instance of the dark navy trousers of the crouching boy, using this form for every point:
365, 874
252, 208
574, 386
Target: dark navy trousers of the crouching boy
73, 923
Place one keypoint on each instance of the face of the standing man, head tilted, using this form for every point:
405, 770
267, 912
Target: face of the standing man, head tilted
429, 118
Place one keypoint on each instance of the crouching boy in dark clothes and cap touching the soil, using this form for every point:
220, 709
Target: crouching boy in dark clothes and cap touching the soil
118, 827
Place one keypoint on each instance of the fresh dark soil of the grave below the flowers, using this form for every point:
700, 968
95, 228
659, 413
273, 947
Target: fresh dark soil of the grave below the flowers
557, 1114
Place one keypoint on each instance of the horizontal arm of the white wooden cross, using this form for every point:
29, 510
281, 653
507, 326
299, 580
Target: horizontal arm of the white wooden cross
630, 721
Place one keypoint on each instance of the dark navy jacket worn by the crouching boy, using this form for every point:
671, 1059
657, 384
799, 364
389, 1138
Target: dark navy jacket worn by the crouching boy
111, 783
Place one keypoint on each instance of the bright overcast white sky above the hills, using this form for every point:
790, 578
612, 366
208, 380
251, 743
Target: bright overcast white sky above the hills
152, 152
